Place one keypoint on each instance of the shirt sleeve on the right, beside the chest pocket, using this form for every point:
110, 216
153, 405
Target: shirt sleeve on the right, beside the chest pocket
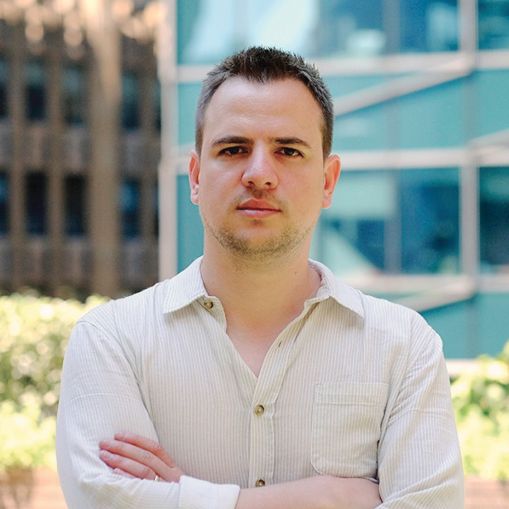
419, 456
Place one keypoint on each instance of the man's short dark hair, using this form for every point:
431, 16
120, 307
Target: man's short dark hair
263, 65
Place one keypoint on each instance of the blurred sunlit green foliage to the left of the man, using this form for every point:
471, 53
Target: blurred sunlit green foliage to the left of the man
34, 334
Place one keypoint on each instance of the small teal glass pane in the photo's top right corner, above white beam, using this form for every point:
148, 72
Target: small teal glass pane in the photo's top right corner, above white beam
493, 24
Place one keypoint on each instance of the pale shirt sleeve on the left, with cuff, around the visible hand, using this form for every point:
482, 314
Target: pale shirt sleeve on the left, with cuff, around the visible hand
99, 397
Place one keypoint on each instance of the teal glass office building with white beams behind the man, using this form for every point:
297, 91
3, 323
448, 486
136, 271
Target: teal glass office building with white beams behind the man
421, 97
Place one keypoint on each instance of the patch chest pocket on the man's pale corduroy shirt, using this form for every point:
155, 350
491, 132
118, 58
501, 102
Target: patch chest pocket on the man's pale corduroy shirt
346, 428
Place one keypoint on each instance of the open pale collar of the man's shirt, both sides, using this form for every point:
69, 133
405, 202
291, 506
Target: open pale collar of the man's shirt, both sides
187, 287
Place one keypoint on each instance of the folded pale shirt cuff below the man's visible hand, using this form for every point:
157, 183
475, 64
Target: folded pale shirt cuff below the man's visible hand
198, 494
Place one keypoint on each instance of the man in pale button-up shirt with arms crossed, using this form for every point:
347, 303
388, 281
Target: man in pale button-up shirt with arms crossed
254, 378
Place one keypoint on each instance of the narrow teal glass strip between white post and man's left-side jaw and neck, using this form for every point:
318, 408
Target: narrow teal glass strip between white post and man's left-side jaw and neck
189, 228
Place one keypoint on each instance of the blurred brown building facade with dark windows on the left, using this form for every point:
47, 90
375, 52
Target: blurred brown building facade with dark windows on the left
79, 149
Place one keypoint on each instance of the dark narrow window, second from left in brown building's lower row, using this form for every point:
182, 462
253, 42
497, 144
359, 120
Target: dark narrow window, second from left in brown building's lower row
36, 203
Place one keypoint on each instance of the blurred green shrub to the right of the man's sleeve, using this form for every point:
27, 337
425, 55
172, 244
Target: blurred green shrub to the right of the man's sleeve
481, 402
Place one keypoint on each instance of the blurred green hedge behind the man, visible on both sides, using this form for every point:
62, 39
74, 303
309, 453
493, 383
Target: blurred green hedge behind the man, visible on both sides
32, 343
